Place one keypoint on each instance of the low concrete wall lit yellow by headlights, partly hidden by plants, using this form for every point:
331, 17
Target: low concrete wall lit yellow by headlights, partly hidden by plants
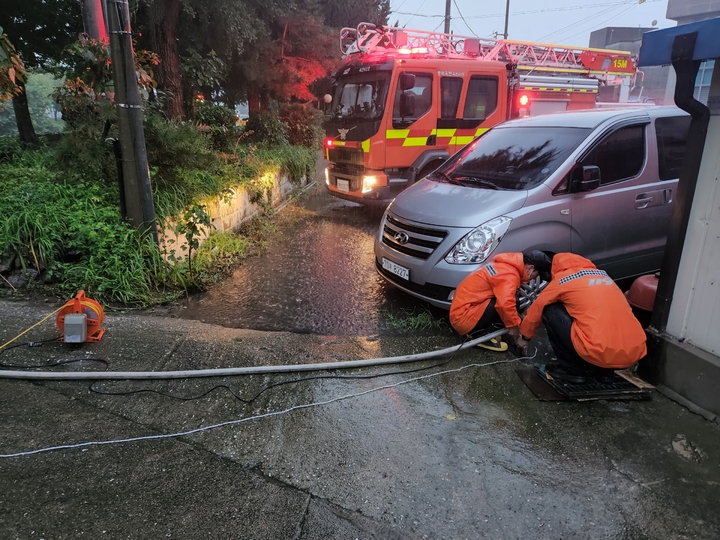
229, 213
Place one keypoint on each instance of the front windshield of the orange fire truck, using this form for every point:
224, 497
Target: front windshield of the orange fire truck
361, 96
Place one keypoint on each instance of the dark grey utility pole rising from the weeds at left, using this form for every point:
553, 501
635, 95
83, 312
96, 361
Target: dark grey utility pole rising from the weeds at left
135, 171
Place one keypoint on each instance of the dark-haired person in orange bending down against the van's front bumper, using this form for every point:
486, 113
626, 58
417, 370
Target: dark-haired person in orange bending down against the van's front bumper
487, 297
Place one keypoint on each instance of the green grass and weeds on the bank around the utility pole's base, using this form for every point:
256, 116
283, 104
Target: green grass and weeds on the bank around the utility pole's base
63, 212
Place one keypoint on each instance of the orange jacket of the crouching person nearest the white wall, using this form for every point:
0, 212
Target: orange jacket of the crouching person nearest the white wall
604, 332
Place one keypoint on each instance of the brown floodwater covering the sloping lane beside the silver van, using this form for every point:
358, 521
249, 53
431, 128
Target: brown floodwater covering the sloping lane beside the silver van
317, 275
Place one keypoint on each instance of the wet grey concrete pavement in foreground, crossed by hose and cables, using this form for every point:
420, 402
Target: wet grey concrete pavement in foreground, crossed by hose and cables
470, 453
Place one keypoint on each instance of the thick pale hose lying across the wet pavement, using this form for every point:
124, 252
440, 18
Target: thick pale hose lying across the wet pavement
226, 372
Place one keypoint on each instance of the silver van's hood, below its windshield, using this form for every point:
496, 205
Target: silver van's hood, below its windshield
448, 205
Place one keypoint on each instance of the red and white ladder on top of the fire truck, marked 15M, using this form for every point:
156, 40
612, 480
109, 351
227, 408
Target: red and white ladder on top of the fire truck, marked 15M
601, 64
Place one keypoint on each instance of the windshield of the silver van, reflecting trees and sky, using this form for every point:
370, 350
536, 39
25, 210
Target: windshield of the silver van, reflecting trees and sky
512, 158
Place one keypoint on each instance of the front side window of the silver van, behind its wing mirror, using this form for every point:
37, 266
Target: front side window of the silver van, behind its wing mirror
620, 156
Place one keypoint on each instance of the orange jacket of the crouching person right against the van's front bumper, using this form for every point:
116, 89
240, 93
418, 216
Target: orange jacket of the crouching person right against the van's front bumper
497, 279
